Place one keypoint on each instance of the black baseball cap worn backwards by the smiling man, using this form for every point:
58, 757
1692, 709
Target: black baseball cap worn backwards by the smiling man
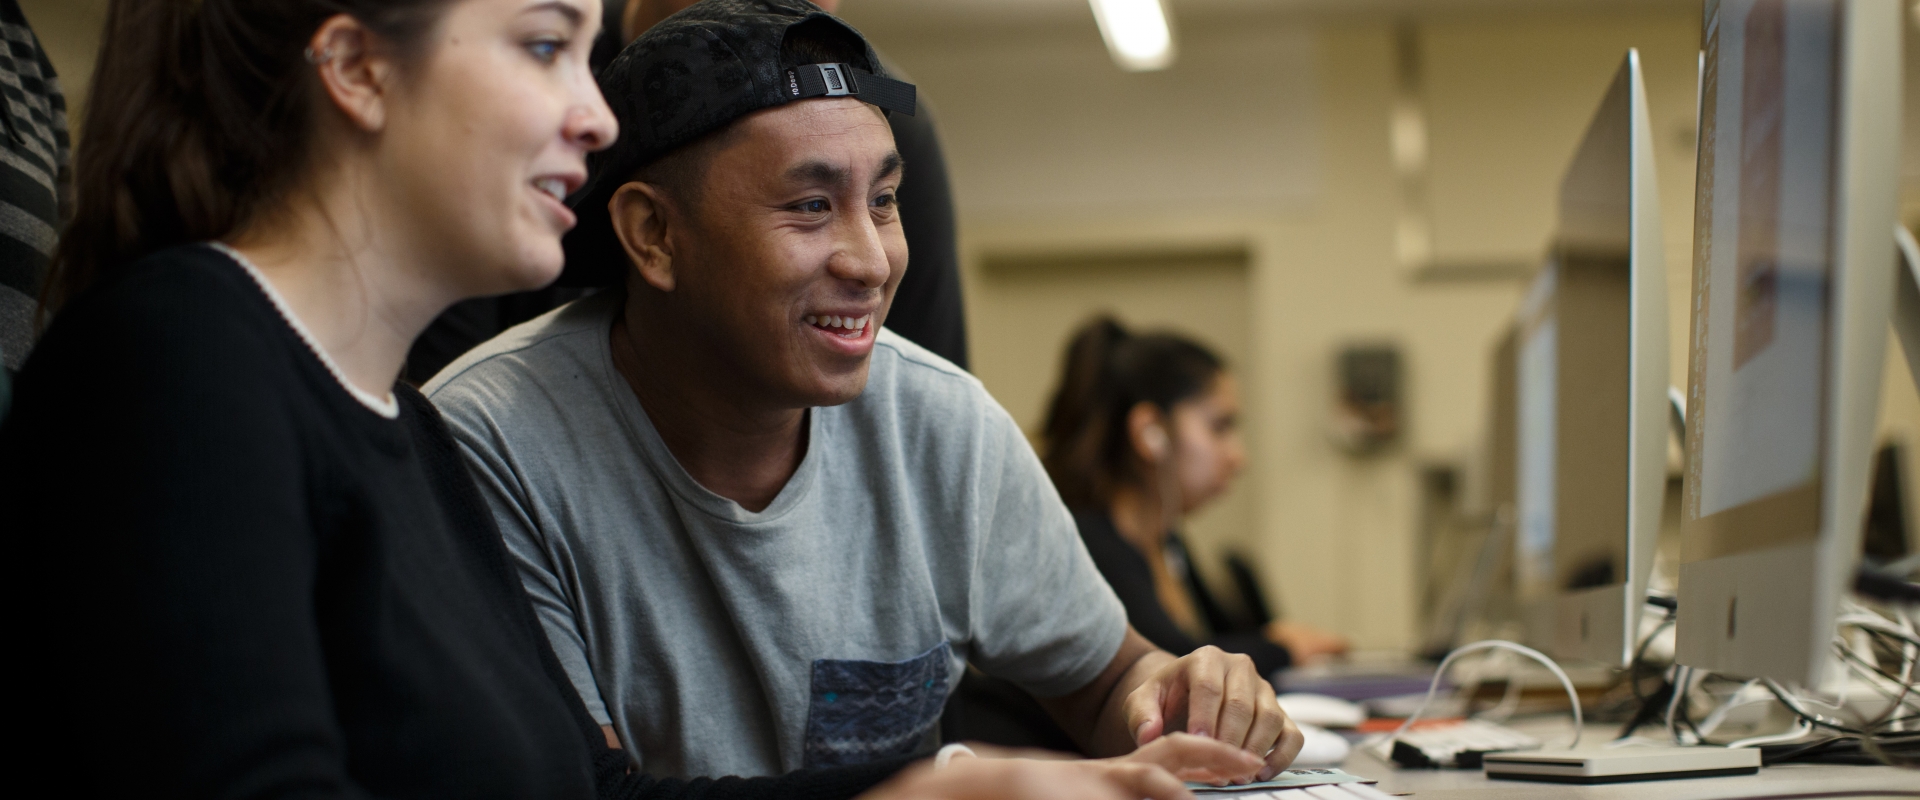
694, 74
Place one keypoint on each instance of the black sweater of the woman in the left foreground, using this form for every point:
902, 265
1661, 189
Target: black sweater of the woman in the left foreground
254, 586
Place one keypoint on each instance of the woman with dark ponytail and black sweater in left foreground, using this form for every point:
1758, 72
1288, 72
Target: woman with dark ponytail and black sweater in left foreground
262, 565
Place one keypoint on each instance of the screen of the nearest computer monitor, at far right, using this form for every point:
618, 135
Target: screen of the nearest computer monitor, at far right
1762, 273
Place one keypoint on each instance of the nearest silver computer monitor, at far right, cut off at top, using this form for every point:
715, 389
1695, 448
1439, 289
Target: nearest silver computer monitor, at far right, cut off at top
1792, 289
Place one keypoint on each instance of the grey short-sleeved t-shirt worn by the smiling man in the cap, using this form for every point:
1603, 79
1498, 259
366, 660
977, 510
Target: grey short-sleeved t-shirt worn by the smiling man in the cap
917, 536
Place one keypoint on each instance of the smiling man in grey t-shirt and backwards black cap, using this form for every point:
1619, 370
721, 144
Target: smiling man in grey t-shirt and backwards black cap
761, 530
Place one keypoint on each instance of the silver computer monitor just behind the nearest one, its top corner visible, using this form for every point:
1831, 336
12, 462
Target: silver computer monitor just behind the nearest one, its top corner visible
1593, 394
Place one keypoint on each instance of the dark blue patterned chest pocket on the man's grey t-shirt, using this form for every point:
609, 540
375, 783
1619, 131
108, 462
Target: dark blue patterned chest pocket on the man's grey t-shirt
869, 711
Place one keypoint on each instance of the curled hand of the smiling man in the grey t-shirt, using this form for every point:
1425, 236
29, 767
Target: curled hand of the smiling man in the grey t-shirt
1220, 695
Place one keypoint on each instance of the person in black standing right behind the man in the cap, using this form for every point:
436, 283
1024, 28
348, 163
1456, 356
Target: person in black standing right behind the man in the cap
926, 308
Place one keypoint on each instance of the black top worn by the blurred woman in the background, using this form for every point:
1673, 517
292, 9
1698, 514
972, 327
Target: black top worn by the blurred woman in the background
1134, 580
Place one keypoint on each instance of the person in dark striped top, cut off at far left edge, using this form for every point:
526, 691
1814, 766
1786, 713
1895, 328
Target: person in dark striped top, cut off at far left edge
34, 183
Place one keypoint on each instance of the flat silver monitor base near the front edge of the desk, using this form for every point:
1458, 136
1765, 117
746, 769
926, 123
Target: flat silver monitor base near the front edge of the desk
1623, 765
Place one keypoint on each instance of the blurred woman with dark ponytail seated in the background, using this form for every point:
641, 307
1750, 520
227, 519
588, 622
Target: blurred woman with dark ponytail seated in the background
1141, 435
